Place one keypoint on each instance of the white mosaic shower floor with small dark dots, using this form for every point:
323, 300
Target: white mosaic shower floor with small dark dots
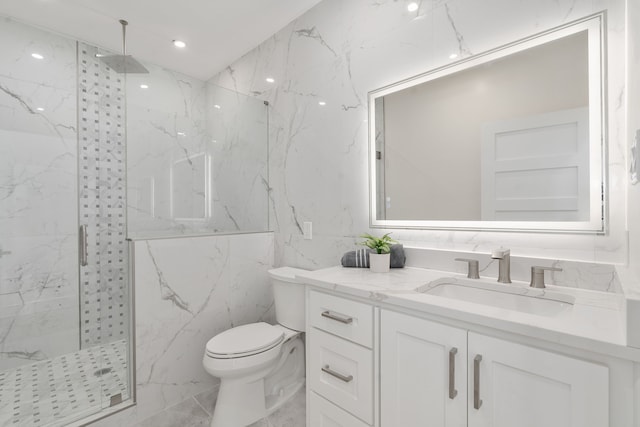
60, 390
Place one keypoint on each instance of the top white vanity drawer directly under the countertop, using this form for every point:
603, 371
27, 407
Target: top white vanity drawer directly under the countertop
342, 317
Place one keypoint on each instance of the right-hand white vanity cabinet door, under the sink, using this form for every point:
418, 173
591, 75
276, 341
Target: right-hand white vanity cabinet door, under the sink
516, 385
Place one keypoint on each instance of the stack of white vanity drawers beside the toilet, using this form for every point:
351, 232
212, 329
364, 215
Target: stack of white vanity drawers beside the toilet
340, 361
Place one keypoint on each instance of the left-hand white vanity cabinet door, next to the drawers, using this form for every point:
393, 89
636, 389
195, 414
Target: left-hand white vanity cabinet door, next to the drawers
423, 374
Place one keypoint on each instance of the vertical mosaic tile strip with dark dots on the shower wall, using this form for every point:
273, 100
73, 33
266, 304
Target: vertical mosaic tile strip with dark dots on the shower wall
102, 169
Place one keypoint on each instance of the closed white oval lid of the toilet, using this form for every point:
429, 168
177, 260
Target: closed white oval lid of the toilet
244, 340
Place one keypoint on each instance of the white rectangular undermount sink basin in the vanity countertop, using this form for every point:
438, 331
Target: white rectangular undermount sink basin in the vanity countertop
511, 297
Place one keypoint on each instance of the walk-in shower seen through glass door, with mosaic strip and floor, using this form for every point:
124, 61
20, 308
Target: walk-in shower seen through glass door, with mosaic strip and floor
64, 276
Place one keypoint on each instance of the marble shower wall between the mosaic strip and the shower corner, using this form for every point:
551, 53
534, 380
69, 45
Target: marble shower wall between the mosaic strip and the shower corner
165, 126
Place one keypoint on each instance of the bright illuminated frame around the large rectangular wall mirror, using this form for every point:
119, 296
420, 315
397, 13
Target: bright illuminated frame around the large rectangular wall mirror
595, 25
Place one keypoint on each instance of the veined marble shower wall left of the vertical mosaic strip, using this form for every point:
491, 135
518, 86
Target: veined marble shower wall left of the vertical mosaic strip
38, 194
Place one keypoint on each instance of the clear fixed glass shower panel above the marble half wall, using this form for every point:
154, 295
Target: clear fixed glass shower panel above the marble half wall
197, 157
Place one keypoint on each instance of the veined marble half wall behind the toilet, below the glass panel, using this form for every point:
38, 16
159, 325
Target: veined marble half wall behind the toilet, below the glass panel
187, 291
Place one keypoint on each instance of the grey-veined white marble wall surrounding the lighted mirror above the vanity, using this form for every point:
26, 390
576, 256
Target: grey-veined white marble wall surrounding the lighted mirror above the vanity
338, 52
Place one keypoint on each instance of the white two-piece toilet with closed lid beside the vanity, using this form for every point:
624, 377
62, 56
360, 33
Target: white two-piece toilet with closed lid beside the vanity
260, 366
